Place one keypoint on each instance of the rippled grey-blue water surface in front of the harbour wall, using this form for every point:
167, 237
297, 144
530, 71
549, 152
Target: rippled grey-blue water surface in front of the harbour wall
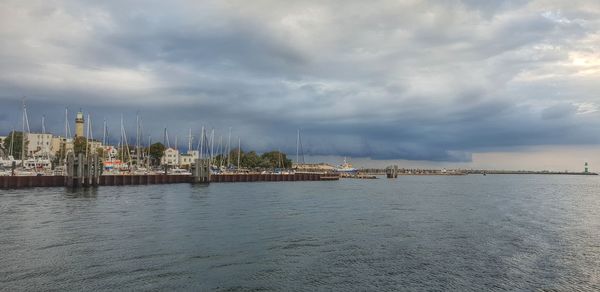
412, 233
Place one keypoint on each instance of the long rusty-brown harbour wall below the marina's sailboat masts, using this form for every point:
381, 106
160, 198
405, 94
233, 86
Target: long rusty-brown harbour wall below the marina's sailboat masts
16, 182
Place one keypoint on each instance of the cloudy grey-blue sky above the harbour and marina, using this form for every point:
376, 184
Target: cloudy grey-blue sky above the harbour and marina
494, 84
